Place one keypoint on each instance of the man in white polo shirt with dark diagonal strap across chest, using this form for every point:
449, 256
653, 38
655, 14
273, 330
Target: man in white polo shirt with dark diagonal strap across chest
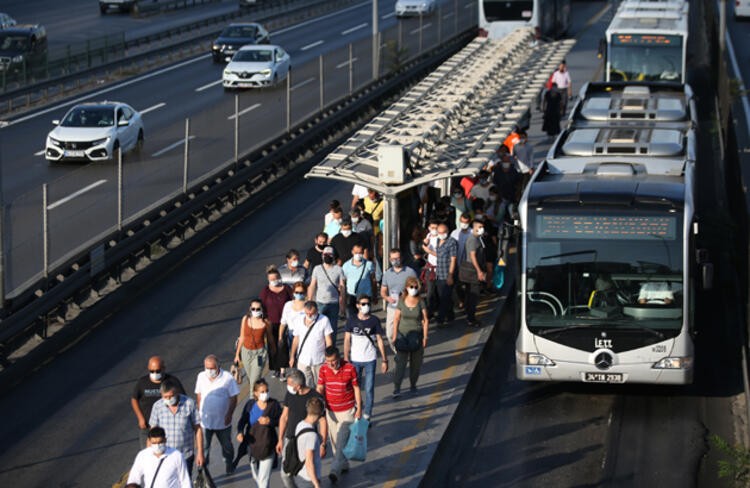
312, 334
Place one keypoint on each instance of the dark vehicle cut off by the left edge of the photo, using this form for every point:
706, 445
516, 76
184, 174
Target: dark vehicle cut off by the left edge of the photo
22, 47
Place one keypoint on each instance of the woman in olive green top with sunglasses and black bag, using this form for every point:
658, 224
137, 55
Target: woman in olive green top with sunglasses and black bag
410, 316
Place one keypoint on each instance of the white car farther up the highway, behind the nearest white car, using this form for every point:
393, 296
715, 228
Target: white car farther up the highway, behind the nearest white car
256, 66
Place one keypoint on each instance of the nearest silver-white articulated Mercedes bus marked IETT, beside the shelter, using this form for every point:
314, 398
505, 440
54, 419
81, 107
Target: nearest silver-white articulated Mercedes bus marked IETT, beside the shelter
609, 262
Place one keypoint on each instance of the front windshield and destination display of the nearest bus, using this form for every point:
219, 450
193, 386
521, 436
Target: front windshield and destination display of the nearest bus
604, 270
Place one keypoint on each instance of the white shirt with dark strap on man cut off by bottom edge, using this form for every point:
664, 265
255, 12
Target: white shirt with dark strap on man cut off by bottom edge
172, 474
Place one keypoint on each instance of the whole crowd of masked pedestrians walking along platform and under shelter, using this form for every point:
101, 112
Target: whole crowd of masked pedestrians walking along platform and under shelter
291, 331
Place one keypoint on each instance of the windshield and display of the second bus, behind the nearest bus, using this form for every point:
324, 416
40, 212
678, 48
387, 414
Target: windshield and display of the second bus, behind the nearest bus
640, 57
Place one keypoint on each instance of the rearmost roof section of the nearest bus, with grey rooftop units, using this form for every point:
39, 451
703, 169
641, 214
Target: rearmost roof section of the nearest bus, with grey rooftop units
619, 102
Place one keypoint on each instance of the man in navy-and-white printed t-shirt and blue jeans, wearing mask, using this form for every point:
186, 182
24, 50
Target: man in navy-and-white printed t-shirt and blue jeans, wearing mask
362, 342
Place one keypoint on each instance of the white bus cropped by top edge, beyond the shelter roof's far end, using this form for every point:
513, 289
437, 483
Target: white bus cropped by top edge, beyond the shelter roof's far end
549, 18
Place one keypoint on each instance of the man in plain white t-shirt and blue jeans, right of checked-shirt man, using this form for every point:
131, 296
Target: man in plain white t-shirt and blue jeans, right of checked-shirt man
216, 393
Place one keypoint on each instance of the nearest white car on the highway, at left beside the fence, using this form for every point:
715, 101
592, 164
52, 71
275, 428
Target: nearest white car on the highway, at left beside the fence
94, 132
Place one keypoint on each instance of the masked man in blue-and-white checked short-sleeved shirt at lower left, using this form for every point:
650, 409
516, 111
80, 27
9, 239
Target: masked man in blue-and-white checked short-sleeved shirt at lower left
178, 416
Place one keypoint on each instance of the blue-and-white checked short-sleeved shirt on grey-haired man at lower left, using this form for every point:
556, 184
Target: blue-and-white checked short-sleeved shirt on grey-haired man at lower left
179, 426
